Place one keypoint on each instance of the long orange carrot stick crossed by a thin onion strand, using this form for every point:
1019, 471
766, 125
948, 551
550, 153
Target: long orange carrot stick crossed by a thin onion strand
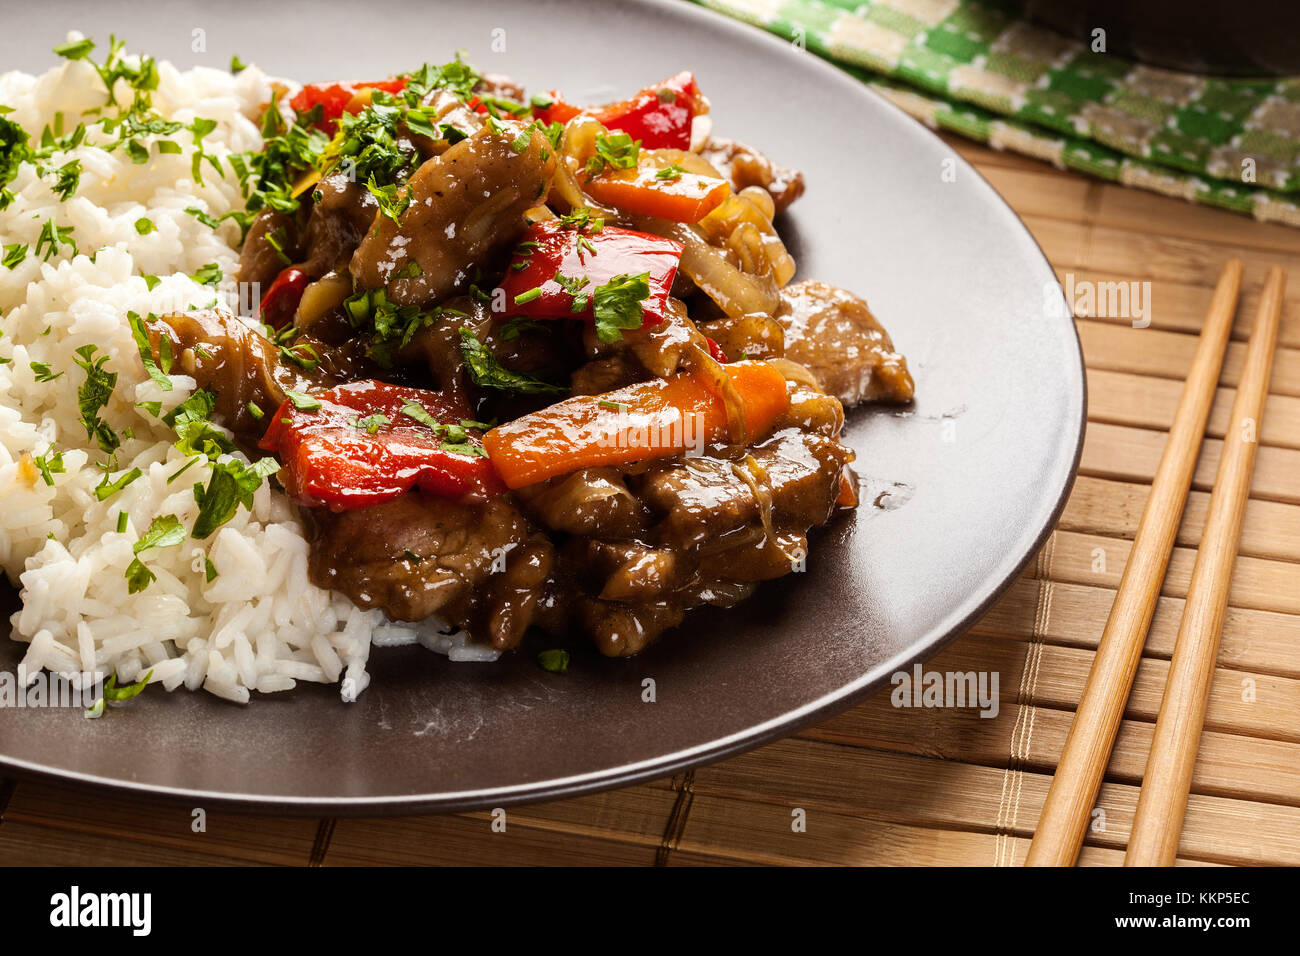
653, 419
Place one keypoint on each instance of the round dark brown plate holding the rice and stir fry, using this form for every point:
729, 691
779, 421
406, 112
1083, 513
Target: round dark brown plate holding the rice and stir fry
980, 469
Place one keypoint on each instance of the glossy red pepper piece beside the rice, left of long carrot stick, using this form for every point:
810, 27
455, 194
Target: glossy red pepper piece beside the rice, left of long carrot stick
370, 443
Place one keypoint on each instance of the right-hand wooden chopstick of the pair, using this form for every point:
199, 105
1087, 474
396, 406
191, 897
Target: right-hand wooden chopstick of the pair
1165, 785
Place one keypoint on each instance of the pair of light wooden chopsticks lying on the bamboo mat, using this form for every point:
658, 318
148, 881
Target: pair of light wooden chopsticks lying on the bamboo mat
1163, 802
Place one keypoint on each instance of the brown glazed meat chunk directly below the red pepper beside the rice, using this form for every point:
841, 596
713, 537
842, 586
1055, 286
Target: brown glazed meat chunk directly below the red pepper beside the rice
475, 565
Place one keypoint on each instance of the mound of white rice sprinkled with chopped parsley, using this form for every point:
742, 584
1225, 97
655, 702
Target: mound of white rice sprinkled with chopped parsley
261, 625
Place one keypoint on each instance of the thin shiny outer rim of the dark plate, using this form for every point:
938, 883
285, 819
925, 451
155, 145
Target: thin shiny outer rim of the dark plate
714, 751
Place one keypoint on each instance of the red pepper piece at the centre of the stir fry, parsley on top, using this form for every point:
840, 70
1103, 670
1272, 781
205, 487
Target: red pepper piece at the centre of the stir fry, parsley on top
553, 252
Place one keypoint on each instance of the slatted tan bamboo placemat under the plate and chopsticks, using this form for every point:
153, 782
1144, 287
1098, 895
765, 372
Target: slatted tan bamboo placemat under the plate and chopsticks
881, 785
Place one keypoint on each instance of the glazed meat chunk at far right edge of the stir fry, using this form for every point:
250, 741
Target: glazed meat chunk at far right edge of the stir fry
834, 335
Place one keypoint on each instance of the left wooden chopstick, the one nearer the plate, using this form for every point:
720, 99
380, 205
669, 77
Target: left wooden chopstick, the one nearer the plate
1087, 749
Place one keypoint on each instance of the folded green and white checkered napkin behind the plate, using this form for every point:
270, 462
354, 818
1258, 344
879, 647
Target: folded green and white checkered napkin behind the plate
977, 70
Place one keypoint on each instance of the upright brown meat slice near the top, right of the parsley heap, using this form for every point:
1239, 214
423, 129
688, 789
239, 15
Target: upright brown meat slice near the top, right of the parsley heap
467, 206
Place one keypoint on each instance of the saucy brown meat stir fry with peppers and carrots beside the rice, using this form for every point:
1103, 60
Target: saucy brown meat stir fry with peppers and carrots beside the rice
532, 365
